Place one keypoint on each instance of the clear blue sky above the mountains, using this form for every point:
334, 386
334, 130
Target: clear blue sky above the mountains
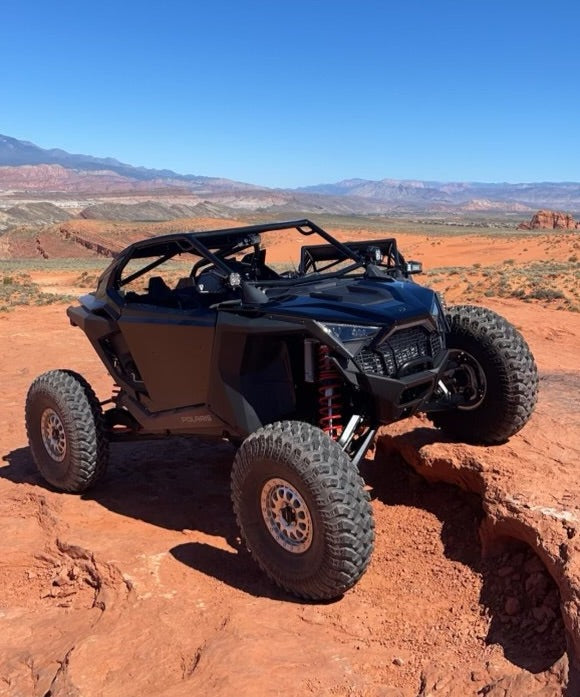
289, 93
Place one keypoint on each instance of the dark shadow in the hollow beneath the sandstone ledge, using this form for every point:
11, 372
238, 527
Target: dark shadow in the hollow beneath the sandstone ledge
517, 593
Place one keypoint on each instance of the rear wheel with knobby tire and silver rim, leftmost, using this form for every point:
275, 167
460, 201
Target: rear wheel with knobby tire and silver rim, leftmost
66, 433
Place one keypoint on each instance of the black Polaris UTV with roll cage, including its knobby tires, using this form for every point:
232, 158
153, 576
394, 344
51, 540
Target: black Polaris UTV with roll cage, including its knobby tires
296, 363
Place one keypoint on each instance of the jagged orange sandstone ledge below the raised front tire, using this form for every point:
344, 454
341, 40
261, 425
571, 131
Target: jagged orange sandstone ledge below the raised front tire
548, 526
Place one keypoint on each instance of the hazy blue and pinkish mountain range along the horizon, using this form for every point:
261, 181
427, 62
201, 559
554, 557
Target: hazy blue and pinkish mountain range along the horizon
25, 167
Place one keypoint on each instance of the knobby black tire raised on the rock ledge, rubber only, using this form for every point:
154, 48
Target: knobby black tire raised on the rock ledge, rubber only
511, 377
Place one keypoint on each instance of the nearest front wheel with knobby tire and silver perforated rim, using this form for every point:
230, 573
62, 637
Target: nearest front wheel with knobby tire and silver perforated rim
302, 510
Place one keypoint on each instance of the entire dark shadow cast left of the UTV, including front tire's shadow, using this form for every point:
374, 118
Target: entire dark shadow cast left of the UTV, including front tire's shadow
181, 484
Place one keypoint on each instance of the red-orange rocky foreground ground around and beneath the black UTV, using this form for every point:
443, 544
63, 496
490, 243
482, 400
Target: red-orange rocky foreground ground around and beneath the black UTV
142, 587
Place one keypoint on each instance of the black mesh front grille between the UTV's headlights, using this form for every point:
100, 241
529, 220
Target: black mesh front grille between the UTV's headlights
406, 346
